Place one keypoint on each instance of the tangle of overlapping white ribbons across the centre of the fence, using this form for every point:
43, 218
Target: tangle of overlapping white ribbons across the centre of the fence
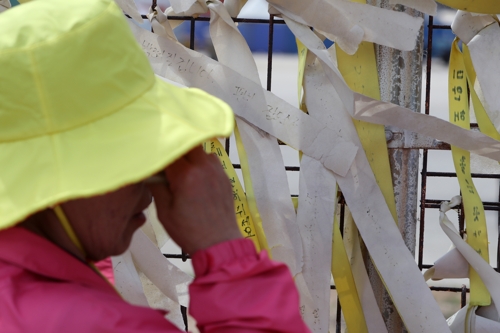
326, 136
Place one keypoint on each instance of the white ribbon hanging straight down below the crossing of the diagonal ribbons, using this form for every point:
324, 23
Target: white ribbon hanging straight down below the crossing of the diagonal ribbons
317, 201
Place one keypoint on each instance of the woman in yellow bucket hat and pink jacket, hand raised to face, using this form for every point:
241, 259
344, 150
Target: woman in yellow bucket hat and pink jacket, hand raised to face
83, 121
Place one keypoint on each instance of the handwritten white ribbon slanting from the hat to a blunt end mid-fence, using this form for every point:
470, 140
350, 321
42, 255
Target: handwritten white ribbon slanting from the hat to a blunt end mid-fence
280, 119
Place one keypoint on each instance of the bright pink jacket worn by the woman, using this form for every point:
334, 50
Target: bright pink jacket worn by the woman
45, 289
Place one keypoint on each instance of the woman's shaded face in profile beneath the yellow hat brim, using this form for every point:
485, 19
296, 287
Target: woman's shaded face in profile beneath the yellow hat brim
105, 223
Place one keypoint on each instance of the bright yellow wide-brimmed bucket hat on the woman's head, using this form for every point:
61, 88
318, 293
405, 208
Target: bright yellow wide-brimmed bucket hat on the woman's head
81, 112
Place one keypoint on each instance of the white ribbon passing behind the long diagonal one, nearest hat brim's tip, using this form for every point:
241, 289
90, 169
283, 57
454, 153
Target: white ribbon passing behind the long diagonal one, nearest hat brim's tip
270, 183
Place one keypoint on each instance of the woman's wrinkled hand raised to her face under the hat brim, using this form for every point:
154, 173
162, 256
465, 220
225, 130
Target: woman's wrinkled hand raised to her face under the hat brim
196, 208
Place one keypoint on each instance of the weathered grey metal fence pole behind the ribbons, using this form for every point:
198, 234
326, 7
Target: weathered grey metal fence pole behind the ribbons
400, 77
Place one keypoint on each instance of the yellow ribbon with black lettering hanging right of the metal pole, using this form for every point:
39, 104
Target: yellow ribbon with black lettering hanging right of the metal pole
477, 236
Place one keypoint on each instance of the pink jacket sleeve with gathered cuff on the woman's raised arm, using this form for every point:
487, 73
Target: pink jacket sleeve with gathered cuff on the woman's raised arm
239, 290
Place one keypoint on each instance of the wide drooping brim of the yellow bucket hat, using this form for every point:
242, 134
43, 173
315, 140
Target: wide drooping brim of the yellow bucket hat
103, 155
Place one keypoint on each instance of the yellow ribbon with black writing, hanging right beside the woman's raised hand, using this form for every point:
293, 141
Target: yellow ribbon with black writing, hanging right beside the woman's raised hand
241, 206
